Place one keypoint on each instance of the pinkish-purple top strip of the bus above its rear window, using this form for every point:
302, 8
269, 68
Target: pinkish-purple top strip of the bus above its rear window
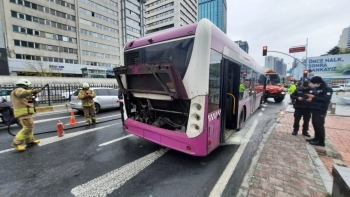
164, 35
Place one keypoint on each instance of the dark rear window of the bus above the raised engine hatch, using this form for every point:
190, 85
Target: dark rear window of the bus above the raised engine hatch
176, 52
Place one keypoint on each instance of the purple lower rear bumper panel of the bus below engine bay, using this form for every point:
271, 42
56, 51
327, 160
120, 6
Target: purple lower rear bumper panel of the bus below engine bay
174, 140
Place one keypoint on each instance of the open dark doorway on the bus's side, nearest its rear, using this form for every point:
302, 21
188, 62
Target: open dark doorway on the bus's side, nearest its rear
229, 97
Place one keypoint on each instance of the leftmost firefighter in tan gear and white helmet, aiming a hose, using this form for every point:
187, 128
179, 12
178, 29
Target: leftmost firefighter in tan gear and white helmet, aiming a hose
23, 107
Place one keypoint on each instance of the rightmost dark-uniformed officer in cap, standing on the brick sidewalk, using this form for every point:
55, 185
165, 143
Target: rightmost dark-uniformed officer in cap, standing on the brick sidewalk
319, 104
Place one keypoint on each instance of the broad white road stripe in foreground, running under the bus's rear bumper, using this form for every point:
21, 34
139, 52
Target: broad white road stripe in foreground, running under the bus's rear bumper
107, 183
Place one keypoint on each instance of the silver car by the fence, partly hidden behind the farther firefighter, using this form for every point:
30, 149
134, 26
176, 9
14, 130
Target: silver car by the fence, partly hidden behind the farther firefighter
106, 98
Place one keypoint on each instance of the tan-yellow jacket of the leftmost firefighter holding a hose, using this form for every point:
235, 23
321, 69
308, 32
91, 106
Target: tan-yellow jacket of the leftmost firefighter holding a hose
22, 102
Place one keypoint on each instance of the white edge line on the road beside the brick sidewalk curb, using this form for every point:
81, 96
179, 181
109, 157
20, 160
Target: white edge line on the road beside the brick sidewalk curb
226, 175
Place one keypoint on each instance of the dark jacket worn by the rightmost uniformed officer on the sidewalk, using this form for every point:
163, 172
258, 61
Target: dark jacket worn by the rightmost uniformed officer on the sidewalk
323, 96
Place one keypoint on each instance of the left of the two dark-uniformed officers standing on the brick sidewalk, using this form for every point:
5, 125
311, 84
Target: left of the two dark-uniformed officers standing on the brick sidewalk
302, 108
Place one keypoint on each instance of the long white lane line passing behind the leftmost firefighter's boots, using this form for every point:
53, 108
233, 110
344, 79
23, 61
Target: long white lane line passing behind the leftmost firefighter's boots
51, 140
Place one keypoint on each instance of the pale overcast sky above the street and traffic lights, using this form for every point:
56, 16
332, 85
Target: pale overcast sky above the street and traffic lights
281, 24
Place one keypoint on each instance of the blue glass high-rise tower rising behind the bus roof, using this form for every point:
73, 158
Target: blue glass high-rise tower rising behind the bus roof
215, 11
